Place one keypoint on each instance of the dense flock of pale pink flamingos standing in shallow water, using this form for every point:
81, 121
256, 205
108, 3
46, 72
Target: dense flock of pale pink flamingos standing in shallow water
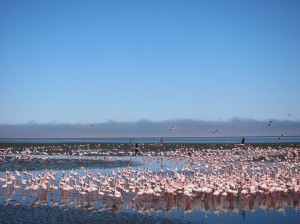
199, 174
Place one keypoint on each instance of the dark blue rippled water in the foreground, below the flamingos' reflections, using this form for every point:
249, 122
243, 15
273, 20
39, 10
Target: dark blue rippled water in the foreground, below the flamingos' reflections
44, 214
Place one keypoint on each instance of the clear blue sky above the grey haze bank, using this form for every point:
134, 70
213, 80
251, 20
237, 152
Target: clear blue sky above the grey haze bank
102, 62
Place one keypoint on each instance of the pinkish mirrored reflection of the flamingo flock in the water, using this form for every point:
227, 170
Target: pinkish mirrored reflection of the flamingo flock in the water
146, 204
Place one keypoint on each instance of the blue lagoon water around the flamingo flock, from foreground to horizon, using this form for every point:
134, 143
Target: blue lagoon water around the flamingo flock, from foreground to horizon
47, 206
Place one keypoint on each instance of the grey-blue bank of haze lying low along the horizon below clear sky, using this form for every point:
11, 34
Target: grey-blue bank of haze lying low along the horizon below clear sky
146, 128
